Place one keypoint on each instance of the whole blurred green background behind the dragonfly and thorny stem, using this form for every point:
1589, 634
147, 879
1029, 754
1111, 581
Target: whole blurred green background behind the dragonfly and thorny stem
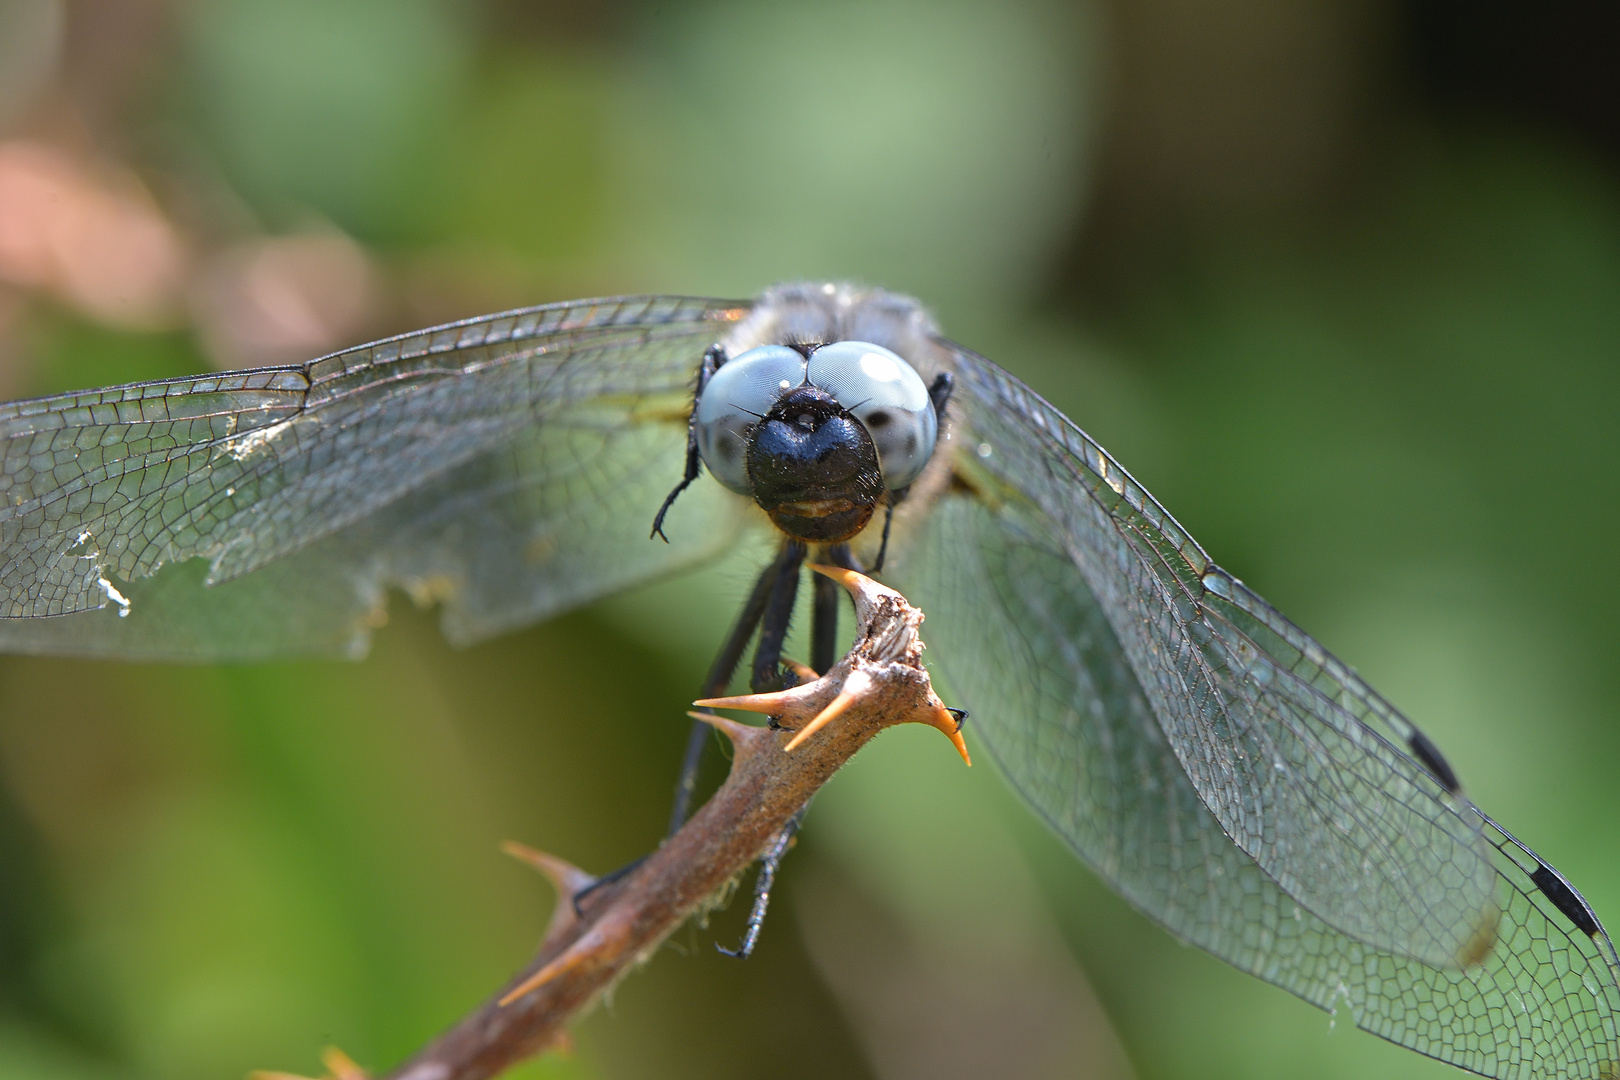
1339, 281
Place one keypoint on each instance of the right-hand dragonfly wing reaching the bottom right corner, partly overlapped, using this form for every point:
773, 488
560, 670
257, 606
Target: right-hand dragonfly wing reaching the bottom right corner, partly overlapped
1055, 702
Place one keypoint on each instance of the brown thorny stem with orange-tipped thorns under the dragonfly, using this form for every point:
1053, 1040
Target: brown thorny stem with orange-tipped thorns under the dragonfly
879, 684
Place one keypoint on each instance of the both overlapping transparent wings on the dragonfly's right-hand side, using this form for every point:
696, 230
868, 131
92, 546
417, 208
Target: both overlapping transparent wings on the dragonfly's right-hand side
1213, 763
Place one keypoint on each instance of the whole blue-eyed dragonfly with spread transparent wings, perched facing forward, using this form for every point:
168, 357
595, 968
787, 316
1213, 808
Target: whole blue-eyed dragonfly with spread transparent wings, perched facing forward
1209, 760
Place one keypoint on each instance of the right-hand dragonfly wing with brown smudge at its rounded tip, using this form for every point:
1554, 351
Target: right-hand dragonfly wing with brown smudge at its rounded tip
1302, 763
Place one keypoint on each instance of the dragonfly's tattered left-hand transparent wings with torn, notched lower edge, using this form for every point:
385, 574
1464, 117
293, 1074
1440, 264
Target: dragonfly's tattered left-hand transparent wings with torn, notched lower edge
506, 467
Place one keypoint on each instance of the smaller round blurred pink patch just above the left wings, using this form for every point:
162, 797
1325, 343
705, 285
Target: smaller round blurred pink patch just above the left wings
286, 300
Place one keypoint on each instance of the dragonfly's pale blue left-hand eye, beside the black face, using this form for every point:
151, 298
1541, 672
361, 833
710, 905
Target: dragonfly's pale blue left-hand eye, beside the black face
735, 401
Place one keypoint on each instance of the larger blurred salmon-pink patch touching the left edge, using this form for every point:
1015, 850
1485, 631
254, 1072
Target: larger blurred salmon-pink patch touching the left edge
98, 242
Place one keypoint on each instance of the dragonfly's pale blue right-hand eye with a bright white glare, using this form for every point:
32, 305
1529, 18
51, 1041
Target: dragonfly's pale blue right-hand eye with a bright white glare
889, 398
